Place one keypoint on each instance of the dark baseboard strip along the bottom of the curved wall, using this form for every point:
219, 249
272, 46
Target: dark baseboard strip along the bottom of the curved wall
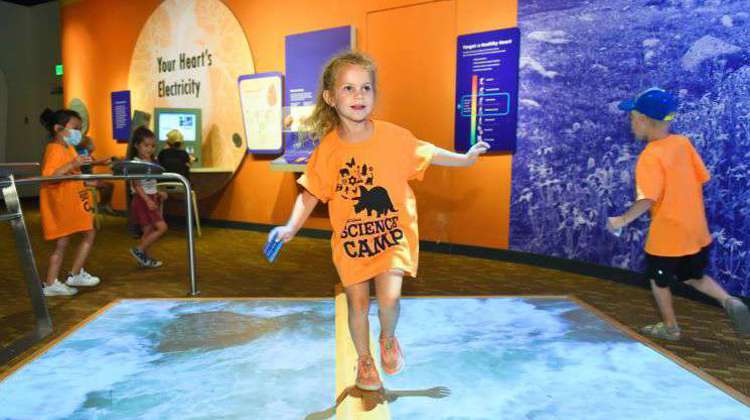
519, 257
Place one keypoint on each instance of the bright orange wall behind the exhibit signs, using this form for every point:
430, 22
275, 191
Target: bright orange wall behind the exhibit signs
463, 206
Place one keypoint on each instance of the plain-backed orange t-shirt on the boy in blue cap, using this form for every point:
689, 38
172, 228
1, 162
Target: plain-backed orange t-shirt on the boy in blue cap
671, 173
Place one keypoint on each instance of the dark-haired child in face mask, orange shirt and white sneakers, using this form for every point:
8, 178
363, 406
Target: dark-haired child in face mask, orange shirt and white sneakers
65, 206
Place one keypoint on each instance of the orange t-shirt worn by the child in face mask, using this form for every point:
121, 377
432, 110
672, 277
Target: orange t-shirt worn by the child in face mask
64, 206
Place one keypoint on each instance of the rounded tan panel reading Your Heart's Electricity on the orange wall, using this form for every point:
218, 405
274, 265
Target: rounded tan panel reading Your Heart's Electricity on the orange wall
189, 55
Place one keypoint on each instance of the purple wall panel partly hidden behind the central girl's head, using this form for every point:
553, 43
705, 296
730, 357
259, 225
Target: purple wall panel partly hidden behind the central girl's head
306, 56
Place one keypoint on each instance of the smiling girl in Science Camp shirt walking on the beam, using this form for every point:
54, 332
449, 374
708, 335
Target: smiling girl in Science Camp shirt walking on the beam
362, 168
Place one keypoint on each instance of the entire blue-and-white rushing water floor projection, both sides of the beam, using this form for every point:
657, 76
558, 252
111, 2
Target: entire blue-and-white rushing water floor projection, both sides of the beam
489, 358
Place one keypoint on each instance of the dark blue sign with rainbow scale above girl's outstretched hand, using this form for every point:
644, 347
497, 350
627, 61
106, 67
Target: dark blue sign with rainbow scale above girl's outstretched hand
487, 90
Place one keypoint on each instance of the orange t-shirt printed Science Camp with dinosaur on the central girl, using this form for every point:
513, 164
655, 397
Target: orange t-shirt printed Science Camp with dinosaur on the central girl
372, 209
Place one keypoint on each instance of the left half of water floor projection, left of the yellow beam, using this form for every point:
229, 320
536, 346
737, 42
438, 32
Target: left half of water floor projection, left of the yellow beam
183, 359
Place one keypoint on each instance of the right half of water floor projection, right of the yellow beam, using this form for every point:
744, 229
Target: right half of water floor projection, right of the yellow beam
539, 358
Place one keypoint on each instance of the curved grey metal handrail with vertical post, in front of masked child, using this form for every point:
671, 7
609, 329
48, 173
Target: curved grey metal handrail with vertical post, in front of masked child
167, 175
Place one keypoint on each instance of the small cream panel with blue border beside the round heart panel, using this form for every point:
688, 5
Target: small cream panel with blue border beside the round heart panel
262, 111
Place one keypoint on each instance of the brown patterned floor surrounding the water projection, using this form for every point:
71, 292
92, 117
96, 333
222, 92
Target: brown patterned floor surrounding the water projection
230, 264
